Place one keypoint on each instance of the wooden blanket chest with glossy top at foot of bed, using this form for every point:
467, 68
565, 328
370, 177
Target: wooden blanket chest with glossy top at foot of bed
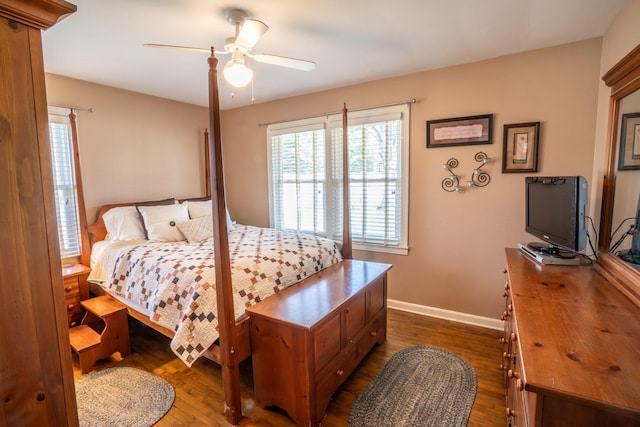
309, 338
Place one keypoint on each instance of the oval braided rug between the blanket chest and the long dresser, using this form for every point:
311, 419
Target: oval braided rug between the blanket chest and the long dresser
418, 386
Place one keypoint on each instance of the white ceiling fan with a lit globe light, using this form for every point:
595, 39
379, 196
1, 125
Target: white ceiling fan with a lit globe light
248, 33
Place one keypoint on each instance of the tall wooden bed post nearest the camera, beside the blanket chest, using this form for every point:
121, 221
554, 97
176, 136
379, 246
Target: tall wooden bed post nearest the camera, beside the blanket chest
224, 291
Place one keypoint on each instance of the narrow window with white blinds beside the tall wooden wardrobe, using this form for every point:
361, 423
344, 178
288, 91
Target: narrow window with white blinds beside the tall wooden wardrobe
64, 182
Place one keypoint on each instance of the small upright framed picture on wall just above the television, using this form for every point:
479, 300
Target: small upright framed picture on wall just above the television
520, 150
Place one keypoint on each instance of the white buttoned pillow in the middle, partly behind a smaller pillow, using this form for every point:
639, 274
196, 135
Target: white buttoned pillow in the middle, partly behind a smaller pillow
161, 221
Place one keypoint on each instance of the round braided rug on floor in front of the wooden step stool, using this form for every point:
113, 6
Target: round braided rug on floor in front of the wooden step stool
122, 397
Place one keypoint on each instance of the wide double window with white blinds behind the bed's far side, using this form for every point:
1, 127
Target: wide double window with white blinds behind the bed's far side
305, 182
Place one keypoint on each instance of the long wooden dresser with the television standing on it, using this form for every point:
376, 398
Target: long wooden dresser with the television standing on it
571, 347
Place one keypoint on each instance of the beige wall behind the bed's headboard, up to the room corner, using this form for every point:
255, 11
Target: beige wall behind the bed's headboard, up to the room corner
133, 147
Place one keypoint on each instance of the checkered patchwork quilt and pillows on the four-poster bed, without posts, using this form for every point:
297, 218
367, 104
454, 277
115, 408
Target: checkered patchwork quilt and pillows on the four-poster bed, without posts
172, 282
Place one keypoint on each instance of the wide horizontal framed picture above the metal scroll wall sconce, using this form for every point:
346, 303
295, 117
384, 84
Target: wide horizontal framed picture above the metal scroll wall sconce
460, 131
